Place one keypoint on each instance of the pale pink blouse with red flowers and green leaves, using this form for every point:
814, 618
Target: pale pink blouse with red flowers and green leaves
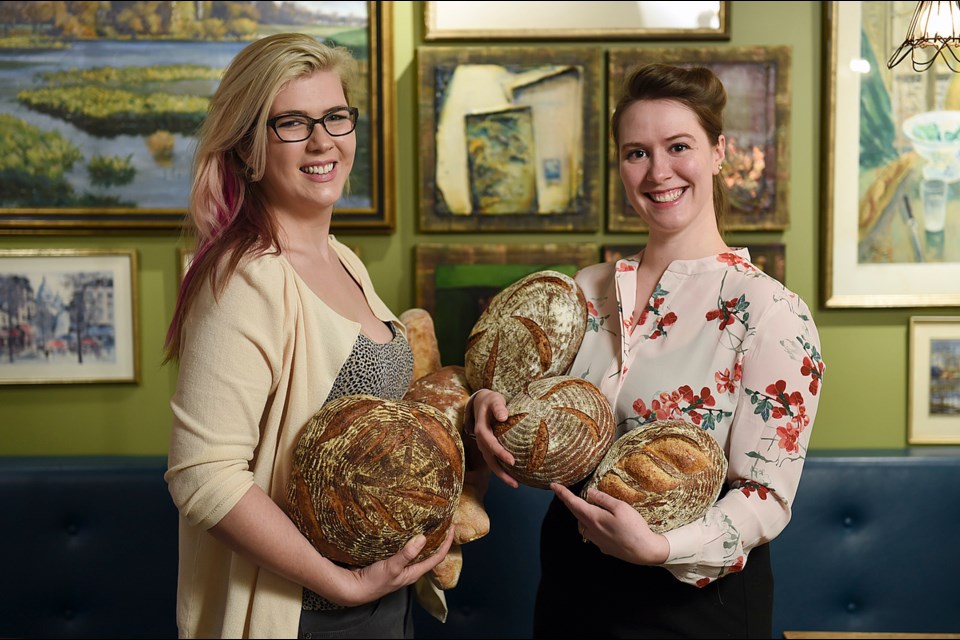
724, 346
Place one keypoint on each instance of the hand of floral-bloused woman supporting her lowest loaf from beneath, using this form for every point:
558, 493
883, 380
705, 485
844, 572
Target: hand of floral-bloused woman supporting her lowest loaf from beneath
615, 527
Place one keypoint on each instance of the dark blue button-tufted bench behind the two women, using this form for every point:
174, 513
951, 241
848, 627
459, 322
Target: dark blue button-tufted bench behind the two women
90, 550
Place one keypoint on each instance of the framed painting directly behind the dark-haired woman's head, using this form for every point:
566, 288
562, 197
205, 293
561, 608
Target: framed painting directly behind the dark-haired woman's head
756, 126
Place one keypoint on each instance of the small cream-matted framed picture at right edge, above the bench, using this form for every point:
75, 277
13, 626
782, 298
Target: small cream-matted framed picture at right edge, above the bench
934, 398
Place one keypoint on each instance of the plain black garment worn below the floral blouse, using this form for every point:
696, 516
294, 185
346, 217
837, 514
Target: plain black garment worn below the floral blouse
584, 593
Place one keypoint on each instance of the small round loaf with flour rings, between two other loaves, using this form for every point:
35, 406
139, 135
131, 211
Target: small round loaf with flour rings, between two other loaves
558, 429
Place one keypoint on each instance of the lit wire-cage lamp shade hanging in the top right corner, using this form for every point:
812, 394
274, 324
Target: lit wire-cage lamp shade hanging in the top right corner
933, 33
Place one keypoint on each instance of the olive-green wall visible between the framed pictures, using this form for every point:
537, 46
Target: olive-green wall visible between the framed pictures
864, 403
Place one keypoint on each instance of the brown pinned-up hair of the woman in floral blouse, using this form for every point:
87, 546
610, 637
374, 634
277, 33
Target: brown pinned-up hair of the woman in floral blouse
698, 89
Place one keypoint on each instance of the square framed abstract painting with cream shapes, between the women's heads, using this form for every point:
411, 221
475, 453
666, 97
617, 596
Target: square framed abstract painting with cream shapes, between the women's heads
509, 138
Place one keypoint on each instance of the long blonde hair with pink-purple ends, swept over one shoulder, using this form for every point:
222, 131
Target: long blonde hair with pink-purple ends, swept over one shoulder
227, 214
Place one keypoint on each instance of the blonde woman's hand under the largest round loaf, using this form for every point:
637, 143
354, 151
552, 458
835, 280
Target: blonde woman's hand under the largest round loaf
397, 571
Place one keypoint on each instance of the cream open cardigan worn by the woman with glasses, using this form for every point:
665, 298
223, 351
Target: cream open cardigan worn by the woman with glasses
255, 365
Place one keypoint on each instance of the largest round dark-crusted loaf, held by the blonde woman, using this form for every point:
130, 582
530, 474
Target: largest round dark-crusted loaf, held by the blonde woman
369, 474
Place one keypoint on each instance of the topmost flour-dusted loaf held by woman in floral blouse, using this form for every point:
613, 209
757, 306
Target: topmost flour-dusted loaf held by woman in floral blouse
530, 330
